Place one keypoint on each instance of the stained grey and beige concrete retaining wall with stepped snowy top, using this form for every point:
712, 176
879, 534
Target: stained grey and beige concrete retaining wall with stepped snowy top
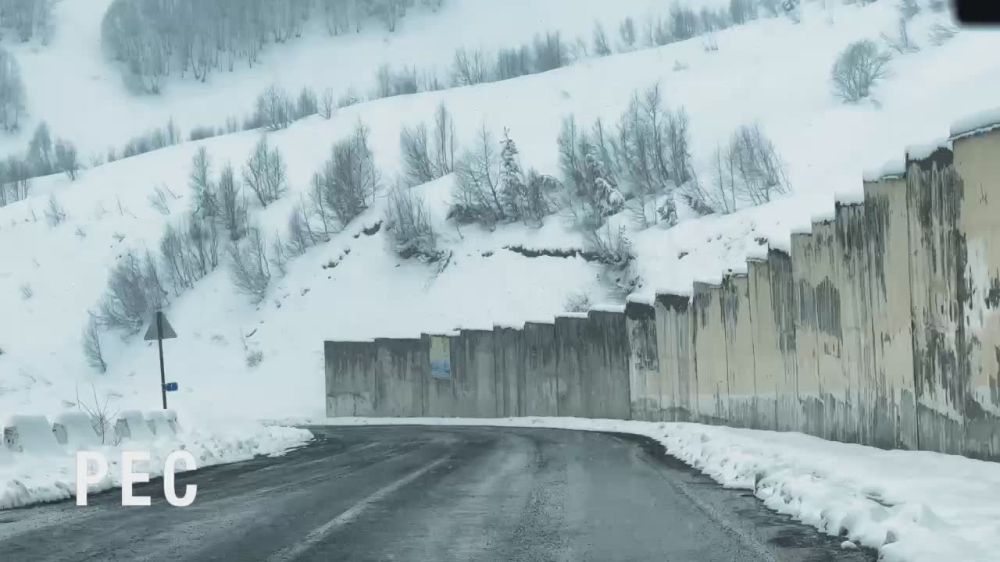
879, 326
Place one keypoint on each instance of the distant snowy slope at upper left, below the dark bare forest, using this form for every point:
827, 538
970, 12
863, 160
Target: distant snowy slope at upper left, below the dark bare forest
72, 86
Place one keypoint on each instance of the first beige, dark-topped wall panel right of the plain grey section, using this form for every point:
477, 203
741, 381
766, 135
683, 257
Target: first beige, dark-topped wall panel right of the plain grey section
646, 392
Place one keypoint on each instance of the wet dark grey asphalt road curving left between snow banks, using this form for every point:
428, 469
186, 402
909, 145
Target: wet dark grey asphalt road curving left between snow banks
436, 494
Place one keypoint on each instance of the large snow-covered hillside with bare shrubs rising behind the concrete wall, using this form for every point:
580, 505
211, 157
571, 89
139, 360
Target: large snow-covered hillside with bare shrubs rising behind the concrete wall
771, 71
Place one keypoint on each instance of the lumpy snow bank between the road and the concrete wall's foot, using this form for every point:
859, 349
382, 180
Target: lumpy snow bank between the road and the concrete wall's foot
910, 505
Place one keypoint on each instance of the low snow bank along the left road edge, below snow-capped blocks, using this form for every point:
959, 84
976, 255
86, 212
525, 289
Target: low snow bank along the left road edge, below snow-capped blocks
33, 478
